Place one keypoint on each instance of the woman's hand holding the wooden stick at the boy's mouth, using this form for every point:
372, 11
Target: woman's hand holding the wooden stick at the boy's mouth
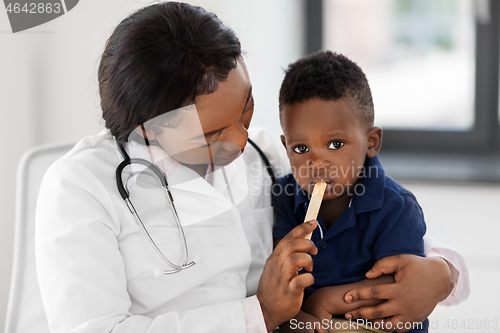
281, 287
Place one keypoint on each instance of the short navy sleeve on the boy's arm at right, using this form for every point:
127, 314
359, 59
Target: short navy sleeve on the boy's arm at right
404, 232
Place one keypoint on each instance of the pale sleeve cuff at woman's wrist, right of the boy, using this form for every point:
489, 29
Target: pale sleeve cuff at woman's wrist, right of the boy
459, 288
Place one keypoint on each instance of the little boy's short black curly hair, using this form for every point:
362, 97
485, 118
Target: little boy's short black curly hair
328, 76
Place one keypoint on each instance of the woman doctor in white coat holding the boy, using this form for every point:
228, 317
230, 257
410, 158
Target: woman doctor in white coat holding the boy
174, 92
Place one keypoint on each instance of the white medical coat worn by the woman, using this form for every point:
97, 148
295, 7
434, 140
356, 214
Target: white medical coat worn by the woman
96, 266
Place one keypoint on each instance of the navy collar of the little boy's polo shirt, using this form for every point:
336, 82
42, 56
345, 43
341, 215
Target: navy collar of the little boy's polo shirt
371, 189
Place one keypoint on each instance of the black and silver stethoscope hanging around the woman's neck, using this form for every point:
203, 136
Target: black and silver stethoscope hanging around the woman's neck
125, 194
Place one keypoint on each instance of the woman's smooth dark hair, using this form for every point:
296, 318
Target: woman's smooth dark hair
159, 59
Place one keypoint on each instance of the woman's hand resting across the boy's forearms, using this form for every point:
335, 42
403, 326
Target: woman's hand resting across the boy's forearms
420, 283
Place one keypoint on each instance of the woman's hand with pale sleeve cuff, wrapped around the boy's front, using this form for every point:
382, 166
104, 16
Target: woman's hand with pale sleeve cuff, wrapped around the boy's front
442, 276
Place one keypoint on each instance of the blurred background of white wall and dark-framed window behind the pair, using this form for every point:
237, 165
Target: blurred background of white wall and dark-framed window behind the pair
433, 66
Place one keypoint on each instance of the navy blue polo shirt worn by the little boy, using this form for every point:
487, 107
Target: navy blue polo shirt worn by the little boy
385, 219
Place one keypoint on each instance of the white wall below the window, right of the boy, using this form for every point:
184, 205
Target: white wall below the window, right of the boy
465, 216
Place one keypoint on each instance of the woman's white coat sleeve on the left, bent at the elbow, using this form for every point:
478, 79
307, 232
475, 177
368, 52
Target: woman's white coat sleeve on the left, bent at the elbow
81, 270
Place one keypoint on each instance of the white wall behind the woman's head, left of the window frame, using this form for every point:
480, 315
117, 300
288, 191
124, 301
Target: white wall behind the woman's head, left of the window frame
48, 89
